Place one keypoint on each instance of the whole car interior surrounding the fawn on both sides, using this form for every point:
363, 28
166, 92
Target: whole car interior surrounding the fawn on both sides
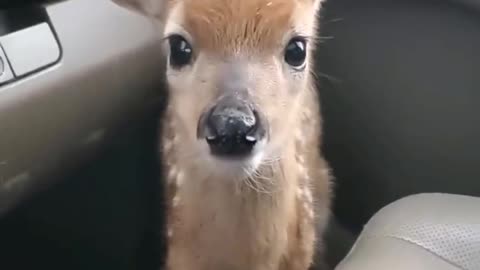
82, 93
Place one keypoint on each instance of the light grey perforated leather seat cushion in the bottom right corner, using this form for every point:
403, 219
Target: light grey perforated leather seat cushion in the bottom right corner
425, 231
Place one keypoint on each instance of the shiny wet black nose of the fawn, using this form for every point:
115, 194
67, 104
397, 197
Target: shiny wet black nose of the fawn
231, 128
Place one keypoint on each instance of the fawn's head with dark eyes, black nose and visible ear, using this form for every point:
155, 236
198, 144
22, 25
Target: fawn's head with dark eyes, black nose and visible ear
236, 72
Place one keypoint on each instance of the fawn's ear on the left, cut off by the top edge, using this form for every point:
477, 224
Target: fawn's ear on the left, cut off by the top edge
149, 8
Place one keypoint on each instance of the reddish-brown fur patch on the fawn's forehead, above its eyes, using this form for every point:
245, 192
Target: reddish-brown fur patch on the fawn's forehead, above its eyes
234, 25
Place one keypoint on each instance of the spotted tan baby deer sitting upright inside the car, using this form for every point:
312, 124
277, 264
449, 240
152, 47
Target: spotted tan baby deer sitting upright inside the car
247, 186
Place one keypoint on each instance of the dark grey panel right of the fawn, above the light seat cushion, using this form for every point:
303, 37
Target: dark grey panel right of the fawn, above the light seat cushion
400, 90
